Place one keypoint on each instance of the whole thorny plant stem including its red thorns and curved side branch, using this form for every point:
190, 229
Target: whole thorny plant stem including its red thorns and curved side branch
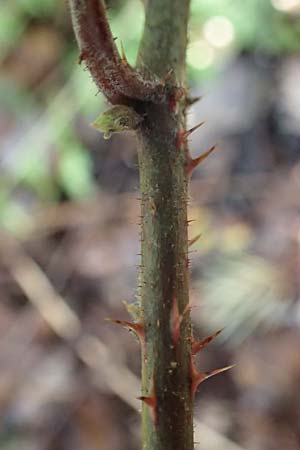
169, 375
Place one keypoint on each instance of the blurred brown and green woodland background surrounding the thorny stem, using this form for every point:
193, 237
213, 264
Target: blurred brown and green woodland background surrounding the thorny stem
69, 231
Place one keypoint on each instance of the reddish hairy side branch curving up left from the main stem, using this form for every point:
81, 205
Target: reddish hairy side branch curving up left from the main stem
117, 80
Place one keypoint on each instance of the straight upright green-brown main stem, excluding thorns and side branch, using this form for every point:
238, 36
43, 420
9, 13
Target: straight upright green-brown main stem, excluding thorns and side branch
166, 376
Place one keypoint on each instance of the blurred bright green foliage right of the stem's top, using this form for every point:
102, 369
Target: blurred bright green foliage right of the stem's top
222, 28
